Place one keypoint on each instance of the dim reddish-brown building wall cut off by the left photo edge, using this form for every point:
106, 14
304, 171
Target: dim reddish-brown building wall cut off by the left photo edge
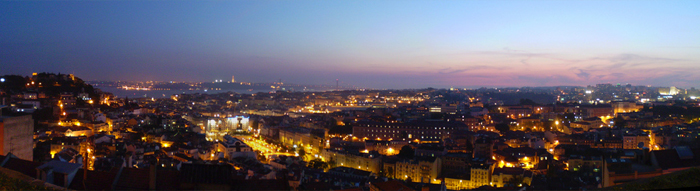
17, 135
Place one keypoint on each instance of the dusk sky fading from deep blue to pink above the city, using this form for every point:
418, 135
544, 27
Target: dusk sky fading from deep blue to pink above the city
373, 44
